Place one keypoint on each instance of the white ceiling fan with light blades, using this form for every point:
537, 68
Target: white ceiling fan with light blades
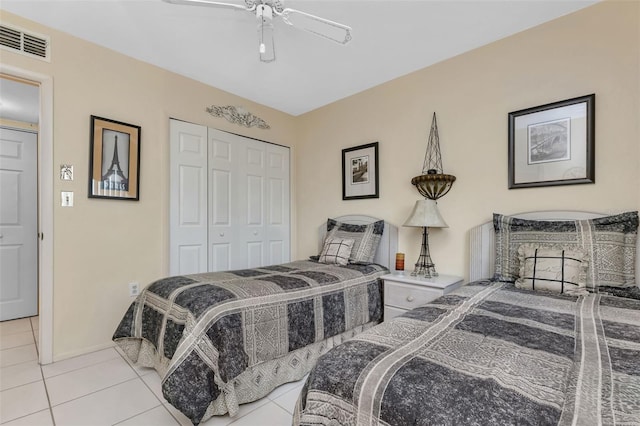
266, 10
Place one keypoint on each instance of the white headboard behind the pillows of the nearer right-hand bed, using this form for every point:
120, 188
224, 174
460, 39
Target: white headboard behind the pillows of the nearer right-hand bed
482, 242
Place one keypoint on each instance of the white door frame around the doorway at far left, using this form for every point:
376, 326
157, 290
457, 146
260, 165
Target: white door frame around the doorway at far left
45, 208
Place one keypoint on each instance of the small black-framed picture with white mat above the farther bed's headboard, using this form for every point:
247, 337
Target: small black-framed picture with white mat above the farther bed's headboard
360, 172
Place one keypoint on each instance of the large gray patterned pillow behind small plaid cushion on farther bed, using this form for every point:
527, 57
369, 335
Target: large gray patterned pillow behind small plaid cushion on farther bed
366, 238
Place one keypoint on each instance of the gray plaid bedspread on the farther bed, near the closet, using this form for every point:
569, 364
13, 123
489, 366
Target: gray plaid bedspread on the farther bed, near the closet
200, 332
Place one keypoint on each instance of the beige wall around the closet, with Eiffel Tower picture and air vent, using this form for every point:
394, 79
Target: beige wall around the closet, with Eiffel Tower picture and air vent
102, 245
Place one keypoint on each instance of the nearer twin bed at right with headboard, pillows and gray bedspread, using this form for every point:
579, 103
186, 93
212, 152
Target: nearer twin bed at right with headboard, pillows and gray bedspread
500, 352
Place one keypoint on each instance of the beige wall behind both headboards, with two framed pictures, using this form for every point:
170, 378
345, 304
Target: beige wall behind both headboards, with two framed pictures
595, 50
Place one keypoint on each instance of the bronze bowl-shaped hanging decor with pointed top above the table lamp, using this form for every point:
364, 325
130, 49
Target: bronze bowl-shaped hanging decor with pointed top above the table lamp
433, 184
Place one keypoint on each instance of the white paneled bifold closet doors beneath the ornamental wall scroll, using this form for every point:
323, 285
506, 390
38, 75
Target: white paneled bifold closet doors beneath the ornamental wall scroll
229, 201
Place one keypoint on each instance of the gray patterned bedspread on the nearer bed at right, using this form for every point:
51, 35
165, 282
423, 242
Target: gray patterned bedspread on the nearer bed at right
486, 354
